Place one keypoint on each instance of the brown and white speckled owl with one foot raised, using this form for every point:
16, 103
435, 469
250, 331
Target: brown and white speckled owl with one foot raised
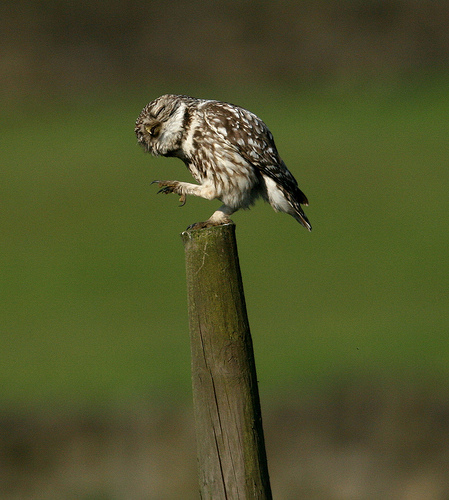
228, 150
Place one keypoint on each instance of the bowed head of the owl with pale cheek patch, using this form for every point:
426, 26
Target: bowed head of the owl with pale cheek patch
159, 127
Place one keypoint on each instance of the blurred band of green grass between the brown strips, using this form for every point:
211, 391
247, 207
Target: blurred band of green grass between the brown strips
93, 301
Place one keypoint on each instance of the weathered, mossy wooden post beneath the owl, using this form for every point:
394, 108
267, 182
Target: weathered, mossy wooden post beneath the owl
231, 449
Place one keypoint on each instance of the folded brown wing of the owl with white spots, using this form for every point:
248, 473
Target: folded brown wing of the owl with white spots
250, 138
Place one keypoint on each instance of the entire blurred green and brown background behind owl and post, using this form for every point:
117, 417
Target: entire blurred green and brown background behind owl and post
349, 322
